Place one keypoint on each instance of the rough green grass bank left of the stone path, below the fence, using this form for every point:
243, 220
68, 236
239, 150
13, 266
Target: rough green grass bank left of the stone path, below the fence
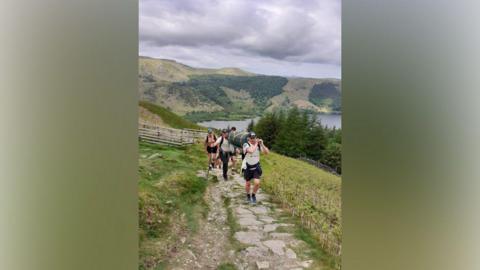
170, 199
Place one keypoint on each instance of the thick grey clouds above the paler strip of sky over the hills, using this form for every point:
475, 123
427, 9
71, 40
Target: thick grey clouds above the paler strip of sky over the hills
296, 31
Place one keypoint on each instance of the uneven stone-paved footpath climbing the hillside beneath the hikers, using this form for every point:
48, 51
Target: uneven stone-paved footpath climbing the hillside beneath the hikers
263, 238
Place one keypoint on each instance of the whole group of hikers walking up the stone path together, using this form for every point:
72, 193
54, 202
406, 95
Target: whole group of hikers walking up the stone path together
220, 151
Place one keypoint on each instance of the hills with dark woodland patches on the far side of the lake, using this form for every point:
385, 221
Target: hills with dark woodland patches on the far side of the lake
230, 93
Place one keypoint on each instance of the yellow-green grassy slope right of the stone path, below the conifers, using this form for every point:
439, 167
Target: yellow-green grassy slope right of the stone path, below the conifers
314, 194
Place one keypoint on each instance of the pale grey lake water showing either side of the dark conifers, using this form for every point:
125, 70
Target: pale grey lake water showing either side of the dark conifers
330, 120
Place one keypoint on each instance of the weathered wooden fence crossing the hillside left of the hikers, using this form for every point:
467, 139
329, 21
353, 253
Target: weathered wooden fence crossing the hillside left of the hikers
171, 136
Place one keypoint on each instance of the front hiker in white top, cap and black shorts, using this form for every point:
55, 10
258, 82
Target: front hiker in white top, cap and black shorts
251, 164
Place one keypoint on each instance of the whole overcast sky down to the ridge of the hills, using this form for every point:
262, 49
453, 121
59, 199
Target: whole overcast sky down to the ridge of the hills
275, 37
